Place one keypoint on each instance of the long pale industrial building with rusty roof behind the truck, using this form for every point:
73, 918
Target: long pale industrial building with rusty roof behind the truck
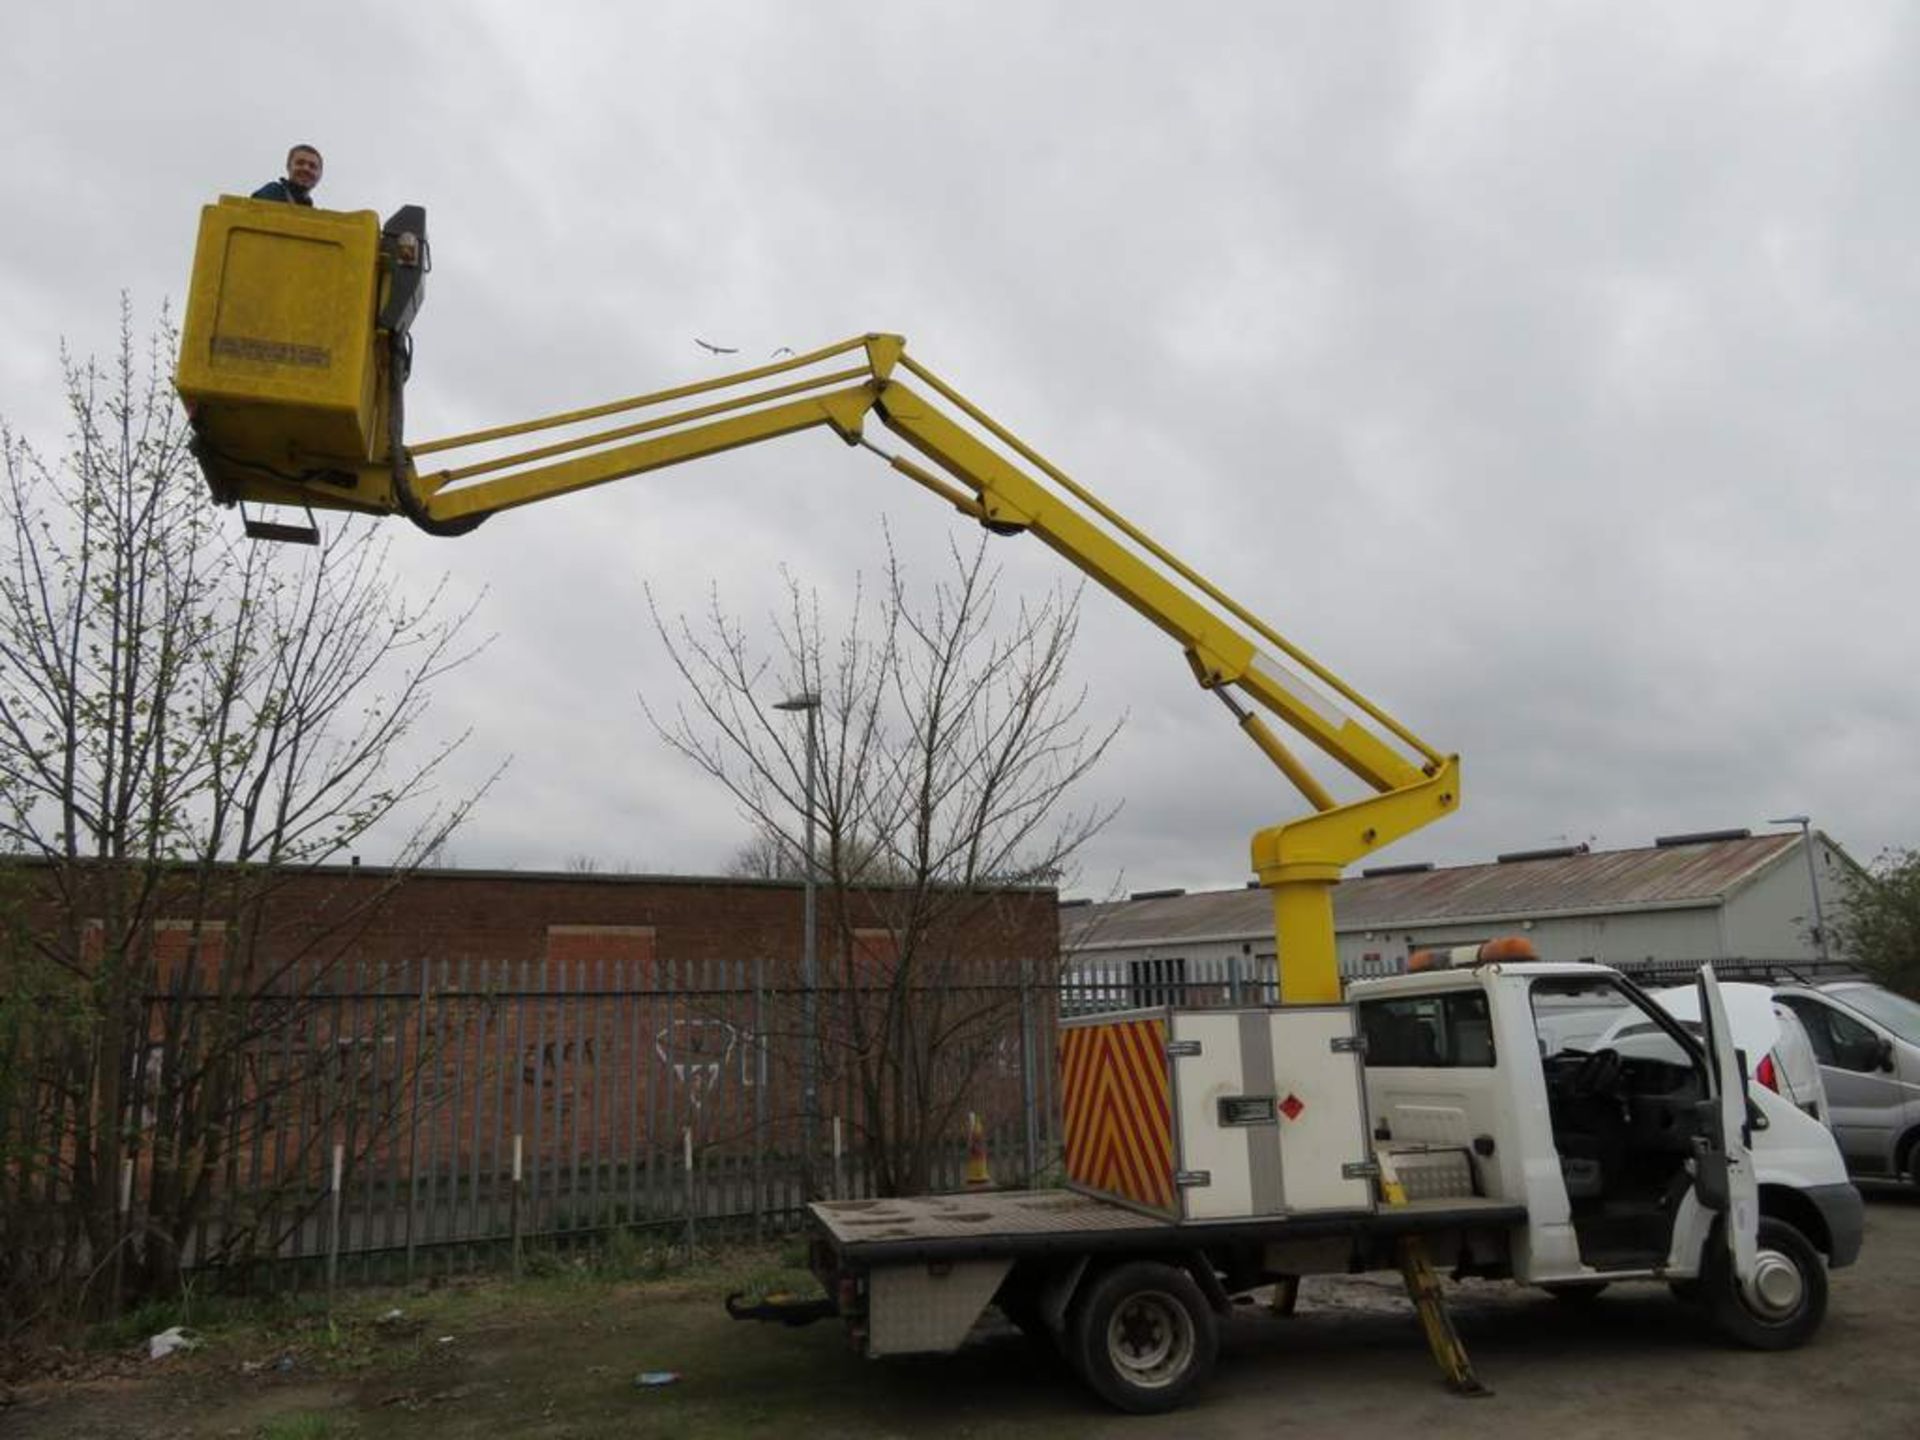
1685, 900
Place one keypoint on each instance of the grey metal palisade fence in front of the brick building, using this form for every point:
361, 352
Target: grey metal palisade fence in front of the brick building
466, 1111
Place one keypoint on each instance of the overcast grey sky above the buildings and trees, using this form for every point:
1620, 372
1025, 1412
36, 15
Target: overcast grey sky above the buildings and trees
1545, 370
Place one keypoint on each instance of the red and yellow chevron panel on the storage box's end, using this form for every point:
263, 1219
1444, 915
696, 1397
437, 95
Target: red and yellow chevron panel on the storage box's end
1116, 1101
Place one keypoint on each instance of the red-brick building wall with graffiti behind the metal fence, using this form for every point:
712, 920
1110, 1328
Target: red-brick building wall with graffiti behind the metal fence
650, 1024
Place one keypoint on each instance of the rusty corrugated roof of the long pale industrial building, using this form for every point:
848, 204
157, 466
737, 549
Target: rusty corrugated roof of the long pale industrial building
1608, 880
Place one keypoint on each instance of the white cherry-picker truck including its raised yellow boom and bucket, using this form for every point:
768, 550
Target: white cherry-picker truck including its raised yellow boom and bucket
1211, 1153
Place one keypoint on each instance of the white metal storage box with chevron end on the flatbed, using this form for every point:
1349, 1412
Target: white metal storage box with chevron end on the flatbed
1218, 1115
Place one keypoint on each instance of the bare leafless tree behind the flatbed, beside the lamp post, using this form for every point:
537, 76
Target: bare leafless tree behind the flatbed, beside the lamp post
948, 748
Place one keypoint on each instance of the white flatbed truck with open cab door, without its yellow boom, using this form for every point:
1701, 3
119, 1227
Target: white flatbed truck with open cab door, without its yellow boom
1570, 1170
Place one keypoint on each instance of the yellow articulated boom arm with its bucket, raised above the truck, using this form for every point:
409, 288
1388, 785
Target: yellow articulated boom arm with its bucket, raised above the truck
293, 368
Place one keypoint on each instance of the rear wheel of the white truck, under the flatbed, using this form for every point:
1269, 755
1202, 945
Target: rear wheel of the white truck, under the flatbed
1143, 1337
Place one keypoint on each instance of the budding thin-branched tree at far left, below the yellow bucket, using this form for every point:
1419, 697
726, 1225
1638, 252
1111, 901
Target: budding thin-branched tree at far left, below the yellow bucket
185, 723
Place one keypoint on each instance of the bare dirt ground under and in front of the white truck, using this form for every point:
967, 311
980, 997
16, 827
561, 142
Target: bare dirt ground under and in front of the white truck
1637, 1364
